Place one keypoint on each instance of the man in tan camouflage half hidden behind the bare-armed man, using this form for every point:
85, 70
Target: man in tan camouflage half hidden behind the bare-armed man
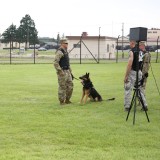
145, 65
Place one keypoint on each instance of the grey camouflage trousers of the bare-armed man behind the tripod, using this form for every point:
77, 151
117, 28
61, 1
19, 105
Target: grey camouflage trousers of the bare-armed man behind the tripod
128, 87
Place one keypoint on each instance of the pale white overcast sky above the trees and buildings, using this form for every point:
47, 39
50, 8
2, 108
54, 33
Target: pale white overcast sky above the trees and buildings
72, 17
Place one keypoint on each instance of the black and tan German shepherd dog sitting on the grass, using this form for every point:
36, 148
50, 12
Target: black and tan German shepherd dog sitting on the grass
89, 90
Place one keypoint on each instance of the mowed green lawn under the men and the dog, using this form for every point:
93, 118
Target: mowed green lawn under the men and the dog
33, 126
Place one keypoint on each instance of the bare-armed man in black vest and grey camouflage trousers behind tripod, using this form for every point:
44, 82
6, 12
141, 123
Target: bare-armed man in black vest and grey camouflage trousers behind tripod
130, 77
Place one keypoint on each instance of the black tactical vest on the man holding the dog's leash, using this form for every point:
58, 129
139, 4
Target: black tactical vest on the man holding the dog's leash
64, 61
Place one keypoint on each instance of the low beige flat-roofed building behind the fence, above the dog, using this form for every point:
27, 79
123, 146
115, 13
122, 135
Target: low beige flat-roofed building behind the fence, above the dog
88, 47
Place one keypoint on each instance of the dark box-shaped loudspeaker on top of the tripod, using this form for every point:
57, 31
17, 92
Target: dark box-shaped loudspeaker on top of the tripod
138, 34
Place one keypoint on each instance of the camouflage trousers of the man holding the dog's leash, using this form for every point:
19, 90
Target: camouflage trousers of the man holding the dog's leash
65, 88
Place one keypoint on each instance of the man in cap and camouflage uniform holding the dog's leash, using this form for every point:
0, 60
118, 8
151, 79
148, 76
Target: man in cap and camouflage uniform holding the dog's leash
63, 70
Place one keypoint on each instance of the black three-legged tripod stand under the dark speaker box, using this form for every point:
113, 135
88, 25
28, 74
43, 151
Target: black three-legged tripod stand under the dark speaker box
137, 92
